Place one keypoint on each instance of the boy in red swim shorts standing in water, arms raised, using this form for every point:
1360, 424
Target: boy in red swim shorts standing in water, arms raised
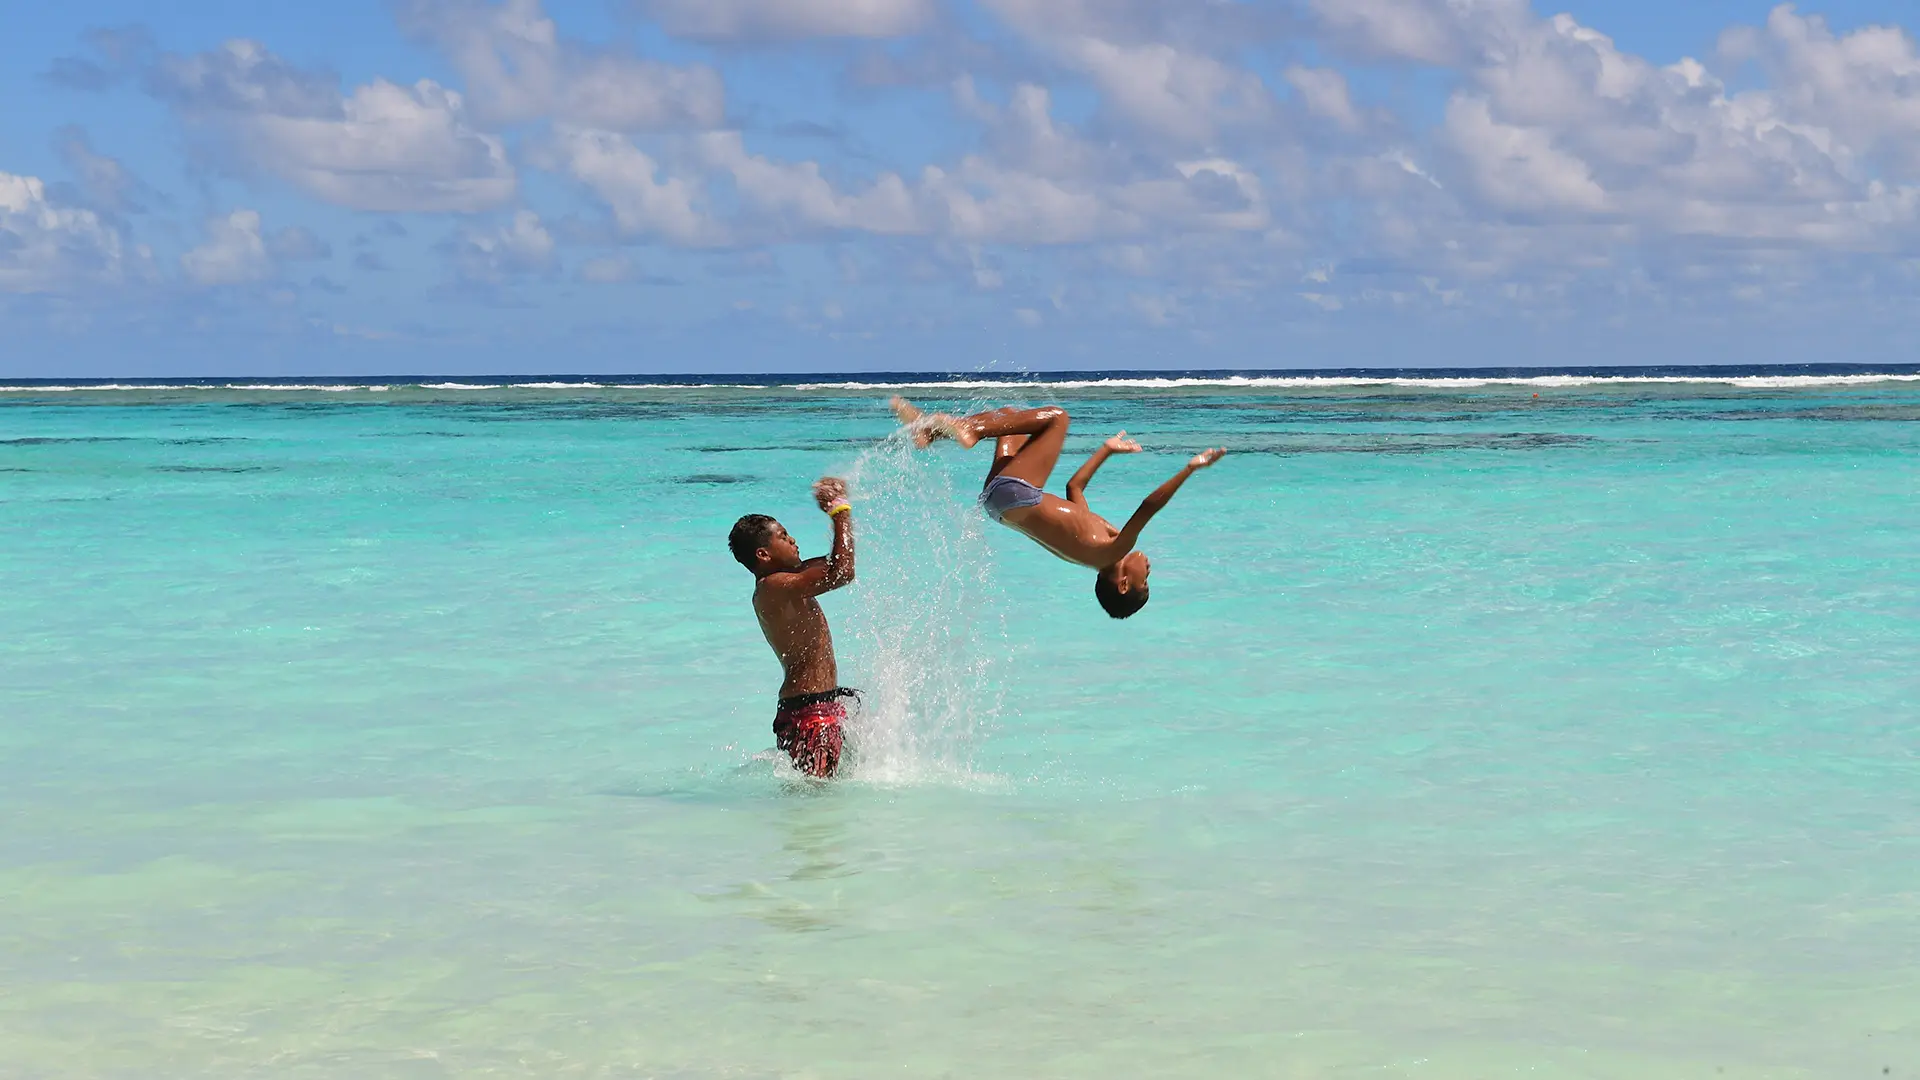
811, 716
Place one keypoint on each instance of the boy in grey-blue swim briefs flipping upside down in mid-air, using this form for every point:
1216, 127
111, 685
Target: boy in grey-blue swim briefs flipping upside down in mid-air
1026, 451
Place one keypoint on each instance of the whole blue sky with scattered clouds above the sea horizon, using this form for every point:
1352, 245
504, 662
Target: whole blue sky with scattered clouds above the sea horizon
842, 185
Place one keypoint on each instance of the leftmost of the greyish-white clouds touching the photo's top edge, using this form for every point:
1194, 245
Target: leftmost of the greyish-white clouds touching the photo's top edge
519, 70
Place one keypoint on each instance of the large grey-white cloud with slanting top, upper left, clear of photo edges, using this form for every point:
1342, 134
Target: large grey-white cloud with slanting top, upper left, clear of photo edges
387, 147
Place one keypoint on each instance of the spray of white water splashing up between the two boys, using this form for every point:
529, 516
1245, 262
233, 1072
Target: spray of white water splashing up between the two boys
928, 626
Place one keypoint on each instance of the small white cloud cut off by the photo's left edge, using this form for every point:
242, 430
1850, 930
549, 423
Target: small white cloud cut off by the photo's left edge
51, 249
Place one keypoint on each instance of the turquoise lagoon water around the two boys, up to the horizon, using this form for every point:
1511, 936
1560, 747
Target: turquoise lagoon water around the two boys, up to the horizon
425, 733
